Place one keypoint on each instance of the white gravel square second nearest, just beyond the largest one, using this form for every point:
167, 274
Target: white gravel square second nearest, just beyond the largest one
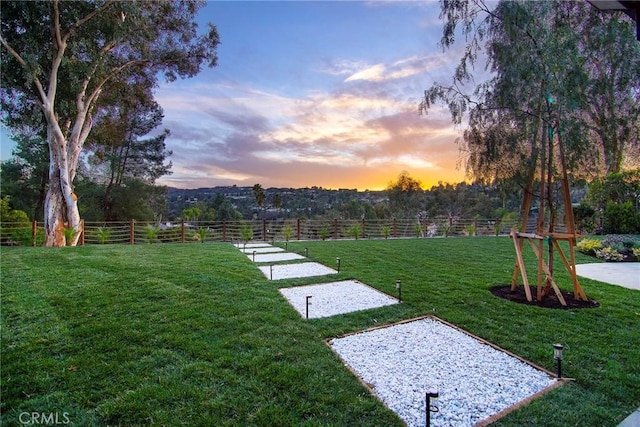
334, 298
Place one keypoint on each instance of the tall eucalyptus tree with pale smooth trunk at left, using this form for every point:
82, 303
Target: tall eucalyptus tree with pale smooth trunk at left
59, 57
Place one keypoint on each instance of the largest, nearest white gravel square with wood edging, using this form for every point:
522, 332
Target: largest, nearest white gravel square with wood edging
474, 380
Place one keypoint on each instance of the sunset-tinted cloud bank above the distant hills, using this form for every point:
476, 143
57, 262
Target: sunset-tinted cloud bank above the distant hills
360, 132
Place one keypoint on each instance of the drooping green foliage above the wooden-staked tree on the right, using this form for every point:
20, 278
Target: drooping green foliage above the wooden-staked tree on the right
555, 65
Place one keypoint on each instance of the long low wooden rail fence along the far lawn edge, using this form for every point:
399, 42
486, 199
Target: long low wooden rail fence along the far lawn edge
138, 232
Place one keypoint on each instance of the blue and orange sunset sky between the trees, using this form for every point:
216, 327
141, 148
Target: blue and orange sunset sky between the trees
313, 93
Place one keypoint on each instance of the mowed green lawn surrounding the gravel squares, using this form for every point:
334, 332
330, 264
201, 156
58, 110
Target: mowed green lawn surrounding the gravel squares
188, 334
